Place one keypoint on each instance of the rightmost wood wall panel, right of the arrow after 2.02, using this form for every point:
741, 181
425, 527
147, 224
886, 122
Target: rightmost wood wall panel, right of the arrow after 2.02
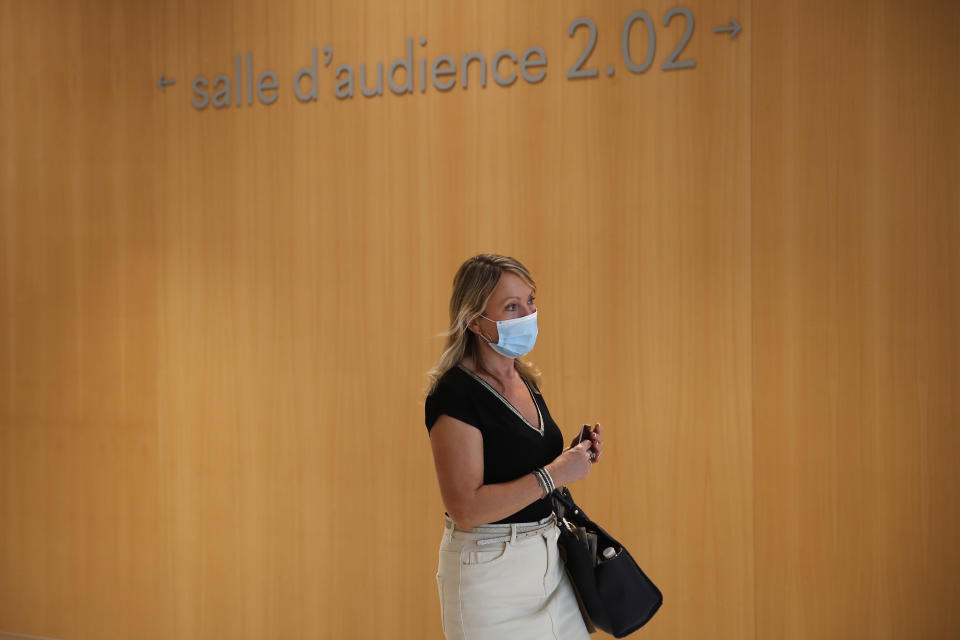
856, 223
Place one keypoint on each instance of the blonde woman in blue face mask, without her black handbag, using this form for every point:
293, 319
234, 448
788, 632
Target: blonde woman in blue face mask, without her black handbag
497, 454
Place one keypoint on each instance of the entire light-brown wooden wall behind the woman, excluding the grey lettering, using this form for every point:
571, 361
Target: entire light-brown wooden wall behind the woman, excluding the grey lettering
216, 323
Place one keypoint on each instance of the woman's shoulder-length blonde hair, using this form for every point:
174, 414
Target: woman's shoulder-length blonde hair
472, 287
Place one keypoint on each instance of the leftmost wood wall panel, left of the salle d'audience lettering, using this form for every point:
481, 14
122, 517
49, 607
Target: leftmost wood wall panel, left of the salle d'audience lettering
79, 544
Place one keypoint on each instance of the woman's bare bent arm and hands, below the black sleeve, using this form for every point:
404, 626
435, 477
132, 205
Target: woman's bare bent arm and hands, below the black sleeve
458, 457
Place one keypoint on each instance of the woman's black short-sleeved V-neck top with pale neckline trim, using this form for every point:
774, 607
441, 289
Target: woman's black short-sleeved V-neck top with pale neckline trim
512, 447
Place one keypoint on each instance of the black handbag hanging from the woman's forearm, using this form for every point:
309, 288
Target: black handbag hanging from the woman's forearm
614, 594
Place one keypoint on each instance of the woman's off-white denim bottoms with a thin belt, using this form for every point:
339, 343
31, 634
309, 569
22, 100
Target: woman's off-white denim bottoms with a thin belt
506, 582
